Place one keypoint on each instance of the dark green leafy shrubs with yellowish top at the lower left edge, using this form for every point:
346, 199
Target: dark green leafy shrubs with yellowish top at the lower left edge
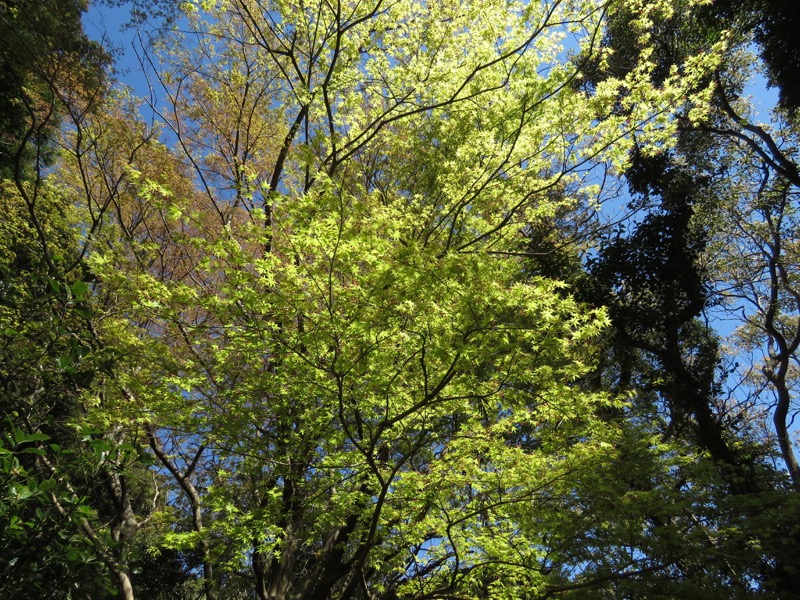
44, 368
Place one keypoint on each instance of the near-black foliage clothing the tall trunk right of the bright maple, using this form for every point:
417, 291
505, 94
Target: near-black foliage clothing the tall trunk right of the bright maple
650, 275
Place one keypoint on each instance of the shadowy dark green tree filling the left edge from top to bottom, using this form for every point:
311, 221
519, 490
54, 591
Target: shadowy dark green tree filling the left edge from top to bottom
73, 486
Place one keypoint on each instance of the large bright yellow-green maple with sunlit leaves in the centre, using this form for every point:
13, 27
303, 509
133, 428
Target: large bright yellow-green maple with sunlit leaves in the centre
354, 392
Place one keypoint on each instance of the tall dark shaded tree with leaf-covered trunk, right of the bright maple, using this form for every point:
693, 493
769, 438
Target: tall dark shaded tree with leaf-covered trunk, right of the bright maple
652, 272
